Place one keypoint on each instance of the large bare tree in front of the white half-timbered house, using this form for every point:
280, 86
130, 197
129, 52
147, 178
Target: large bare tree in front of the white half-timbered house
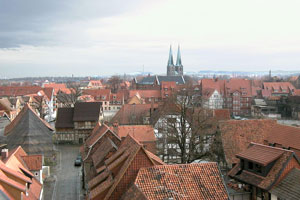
184, 128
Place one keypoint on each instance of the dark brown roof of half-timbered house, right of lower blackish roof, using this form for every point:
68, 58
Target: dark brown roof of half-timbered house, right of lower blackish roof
87, 111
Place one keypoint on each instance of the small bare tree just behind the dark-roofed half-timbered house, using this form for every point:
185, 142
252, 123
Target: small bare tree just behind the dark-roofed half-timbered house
70, 97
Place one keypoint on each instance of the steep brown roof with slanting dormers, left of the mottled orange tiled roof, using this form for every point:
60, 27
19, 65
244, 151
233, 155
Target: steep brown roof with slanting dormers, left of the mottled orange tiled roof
105, 183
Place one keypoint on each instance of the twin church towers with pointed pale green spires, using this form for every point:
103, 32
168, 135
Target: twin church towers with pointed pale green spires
174, 70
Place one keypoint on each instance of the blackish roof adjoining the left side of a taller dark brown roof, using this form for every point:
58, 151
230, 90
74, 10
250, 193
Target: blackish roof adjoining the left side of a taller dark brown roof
64, 118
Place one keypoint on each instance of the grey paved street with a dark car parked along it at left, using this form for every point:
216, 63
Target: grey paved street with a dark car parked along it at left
67, 186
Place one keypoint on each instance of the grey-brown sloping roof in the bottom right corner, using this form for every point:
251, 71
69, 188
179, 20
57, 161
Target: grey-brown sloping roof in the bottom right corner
289, 187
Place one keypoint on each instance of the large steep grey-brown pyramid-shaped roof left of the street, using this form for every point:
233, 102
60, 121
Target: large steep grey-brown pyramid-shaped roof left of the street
30, 132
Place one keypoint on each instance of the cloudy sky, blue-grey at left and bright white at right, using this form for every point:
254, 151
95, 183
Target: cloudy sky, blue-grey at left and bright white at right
100, 37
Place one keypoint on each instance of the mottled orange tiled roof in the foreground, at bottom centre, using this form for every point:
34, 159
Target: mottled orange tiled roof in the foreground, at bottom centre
184, 181
